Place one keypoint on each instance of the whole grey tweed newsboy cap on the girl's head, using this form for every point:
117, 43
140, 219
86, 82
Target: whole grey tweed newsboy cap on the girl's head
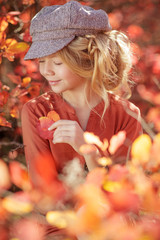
54, 27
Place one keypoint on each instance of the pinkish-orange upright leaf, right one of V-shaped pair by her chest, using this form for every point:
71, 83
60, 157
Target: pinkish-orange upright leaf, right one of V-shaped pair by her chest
116, 141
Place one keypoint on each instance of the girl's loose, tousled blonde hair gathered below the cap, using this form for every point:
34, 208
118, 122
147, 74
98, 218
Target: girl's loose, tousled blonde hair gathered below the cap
103, 59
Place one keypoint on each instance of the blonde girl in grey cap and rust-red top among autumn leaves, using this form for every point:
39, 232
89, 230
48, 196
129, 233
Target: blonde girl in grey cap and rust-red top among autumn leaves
85, 63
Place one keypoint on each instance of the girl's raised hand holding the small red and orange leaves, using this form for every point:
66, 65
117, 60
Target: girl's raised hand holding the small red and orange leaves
68, 131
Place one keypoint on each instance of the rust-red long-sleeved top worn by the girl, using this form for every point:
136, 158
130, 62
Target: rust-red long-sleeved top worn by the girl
120, 115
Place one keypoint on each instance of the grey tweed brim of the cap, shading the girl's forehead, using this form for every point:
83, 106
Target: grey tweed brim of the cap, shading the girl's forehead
44, 48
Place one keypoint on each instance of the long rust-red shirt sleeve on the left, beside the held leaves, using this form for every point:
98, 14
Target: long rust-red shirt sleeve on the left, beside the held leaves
40, 162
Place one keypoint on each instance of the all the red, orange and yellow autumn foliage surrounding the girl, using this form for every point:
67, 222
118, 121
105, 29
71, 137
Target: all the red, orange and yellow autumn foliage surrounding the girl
112, 201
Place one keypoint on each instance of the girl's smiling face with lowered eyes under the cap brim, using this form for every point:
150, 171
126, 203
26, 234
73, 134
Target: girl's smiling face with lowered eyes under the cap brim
59, 75
